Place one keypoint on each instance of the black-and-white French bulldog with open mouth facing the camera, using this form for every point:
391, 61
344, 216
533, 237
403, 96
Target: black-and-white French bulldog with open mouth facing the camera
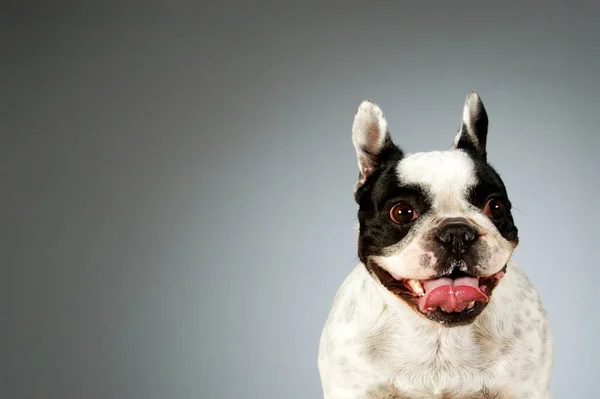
437, 307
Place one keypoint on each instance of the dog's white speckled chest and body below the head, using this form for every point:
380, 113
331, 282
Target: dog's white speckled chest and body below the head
375, 346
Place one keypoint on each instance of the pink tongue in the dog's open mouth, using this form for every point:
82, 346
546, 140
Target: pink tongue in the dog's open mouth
451, 295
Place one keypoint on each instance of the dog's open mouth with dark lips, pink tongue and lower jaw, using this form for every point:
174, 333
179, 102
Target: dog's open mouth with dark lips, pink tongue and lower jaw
454, 299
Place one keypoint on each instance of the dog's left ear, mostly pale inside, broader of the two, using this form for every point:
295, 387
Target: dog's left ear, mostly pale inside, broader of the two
371, 140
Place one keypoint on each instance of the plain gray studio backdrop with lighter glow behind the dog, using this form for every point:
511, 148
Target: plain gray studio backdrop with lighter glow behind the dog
177, 179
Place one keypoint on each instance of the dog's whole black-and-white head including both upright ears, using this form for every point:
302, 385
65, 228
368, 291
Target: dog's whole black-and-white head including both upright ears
435, 227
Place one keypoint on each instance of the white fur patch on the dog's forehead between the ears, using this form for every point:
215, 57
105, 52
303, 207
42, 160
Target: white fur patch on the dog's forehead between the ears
438, 171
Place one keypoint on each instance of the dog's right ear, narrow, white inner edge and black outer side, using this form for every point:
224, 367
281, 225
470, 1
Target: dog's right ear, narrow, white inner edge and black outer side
472, 135
